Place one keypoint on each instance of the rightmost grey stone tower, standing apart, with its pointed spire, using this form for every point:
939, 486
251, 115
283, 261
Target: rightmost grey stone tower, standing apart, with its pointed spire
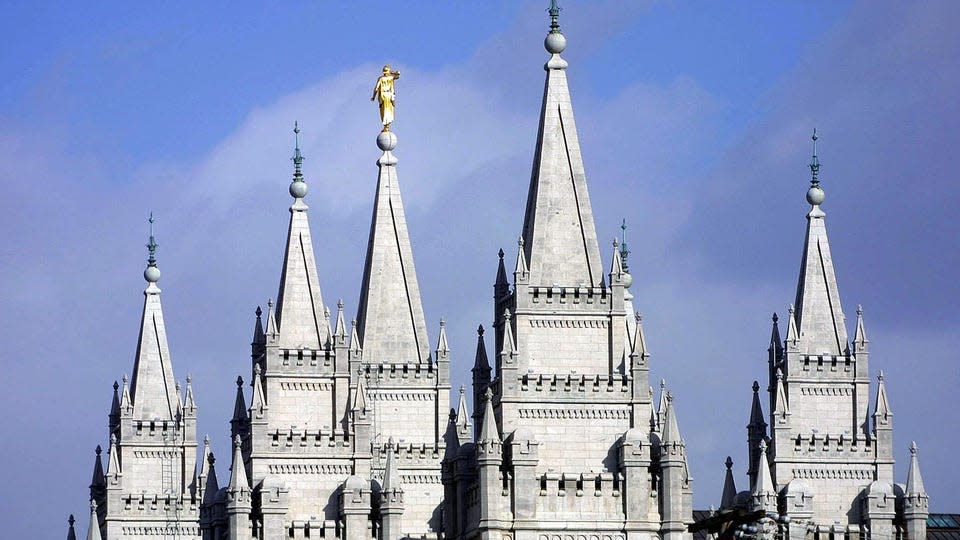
829, 465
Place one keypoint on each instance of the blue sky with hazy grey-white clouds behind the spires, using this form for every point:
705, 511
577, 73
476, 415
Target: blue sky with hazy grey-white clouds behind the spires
694, 120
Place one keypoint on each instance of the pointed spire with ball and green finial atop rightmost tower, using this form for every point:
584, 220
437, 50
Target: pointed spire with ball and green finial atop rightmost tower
819, 315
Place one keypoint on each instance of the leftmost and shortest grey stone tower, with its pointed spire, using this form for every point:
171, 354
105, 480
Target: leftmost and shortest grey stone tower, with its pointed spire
148, 489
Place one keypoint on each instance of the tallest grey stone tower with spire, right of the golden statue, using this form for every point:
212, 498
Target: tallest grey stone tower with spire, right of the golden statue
569, 444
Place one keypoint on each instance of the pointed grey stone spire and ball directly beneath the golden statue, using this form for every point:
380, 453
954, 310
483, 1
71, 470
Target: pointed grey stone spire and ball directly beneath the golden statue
390, 315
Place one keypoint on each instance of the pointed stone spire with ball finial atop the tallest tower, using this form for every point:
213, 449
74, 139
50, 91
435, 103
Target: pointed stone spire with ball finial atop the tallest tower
560, 239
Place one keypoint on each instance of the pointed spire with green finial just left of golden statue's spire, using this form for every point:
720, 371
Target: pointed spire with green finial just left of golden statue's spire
299, 314
